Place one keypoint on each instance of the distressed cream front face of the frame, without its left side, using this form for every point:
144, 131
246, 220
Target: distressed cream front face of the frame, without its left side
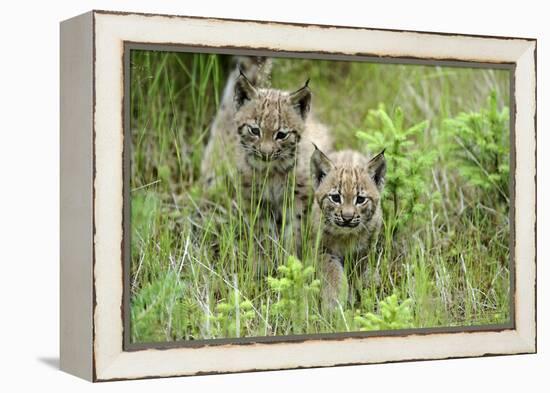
109, 360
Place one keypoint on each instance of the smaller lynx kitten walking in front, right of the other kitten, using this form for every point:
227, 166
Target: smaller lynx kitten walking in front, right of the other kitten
347, 210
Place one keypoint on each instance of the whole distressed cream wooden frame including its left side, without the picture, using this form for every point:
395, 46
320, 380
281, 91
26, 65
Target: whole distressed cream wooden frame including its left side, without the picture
92, 195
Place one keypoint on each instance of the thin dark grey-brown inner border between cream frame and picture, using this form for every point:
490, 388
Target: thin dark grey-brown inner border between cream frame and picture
128, 346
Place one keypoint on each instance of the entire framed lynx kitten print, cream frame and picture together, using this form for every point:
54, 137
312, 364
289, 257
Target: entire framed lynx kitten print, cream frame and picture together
245, 195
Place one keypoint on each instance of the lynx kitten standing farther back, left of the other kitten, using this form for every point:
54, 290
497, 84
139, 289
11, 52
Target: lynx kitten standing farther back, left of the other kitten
265, 135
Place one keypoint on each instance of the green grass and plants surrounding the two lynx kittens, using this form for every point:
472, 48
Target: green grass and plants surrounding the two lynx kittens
206, 265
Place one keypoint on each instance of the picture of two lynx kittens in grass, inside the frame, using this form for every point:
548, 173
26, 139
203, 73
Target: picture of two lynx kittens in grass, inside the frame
274, 197
